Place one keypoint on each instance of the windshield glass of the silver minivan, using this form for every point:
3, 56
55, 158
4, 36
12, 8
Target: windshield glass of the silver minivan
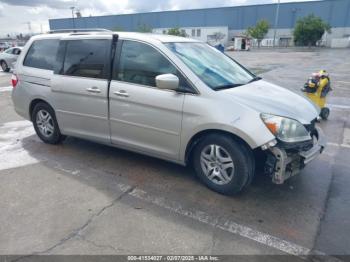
214, 68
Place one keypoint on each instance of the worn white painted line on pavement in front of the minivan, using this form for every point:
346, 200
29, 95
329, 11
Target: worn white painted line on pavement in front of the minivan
228, 226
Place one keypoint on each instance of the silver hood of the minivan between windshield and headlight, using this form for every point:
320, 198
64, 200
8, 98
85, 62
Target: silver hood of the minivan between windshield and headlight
268, 98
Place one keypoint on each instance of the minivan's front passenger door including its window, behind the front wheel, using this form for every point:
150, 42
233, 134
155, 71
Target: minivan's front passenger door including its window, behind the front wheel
143, 117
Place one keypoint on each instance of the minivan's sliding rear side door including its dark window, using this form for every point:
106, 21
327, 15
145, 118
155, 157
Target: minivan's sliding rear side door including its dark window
80, 88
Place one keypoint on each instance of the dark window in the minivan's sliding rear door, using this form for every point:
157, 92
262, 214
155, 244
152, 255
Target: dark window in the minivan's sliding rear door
86, 58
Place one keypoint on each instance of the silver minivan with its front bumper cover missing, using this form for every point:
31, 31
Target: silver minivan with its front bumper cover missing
169, 97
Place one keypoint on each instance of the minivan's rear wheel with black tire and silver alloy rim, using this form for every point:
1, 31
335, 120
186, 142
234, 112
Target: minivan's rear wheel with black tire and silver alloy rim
45, 124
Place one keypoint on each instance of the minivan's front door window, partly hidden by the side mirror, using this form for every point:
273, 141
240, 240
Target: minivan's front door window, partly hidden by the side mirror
140, 64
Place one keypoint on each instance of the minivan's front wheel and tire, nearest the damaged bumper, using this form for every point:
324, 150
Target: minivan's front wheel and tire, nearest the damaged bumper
223, 164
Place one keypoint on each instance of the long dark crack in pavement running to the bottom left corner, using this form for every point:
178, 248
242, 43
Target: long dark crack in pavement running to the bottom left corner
77, 231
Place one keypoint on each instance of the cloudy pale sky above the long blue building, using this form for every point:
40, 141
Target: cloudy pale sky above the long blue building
32, 15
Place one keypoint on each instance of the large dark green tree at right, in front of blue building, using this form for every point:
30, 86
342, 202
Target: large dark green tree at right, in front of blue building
309, 30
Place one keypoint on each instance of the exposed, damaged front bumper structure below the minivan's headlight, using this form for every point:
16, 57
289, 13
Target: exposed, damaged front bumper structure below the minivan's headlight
284, 161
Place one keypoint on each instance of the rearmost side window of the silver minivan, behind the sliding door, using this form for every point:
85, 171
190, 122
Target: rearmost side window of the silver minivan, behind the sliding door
42, 54
